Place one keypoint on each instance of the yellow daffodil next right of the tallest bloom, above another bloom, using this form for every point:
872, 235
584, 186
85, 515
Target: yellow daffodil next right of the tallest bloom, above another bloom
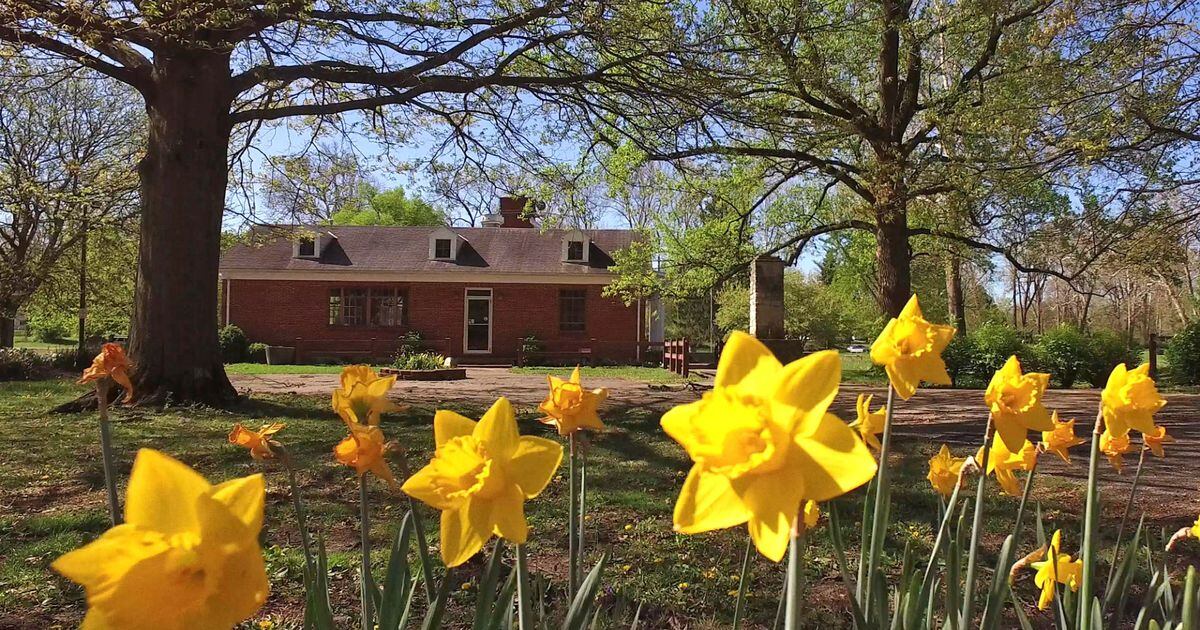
1016, 404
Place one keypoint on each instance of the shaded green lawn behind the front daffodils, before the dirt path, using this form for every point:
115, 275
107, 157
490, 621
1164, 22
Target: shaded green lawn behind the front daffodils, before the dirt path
52, 481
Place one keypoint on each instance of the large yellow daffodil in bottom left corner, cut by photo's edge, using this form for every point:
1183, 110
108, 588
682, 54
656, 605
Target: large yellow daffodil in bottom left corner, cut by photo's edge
188, 555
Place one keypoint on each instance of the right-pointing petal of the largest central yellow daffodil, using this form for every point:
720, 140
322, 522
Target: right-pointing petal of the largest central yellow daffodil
831, 460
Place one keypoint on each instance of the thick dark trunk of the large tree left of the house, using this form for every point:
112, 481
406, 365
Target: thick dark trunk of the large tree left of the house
173, 343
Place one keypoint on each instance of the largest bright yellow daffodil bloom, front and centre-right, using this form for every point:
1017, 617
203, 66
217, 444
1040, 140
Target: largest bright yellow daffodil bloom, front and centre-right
764, 443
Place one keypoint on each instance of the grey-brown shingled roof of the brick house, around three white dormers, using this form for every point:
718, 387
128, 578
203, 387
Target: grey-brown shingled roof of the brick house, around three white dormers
406, 249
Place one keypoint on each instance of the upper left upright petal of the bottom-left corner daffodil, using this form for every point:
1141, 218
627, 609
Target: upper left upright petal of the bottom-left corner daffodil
159, 481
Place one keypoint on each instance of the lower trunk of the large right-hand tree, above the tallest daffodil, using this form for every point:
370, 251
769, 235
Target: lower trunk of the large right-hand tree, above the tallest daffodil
893, 263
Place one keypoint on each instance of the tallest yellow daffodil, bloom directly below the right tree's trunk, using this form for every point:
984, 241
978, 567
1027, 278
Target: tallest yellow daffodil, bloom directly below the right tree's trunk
910, 350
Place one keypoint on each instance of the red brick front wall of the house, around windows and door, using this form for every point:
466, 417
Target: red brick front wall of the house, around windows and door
297, 314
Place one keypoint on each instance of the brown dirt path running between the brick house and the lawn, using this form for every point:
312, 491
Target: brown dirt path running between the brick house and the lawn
1172, 487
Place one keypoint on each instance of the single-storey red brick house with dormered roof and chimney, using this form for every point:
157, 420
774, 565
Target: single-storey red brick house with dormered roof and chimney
351, 292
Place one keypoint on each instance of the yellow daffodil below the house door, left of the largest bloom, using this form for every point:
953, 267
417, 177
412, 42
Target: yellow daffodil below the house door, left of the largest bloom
481, 478
